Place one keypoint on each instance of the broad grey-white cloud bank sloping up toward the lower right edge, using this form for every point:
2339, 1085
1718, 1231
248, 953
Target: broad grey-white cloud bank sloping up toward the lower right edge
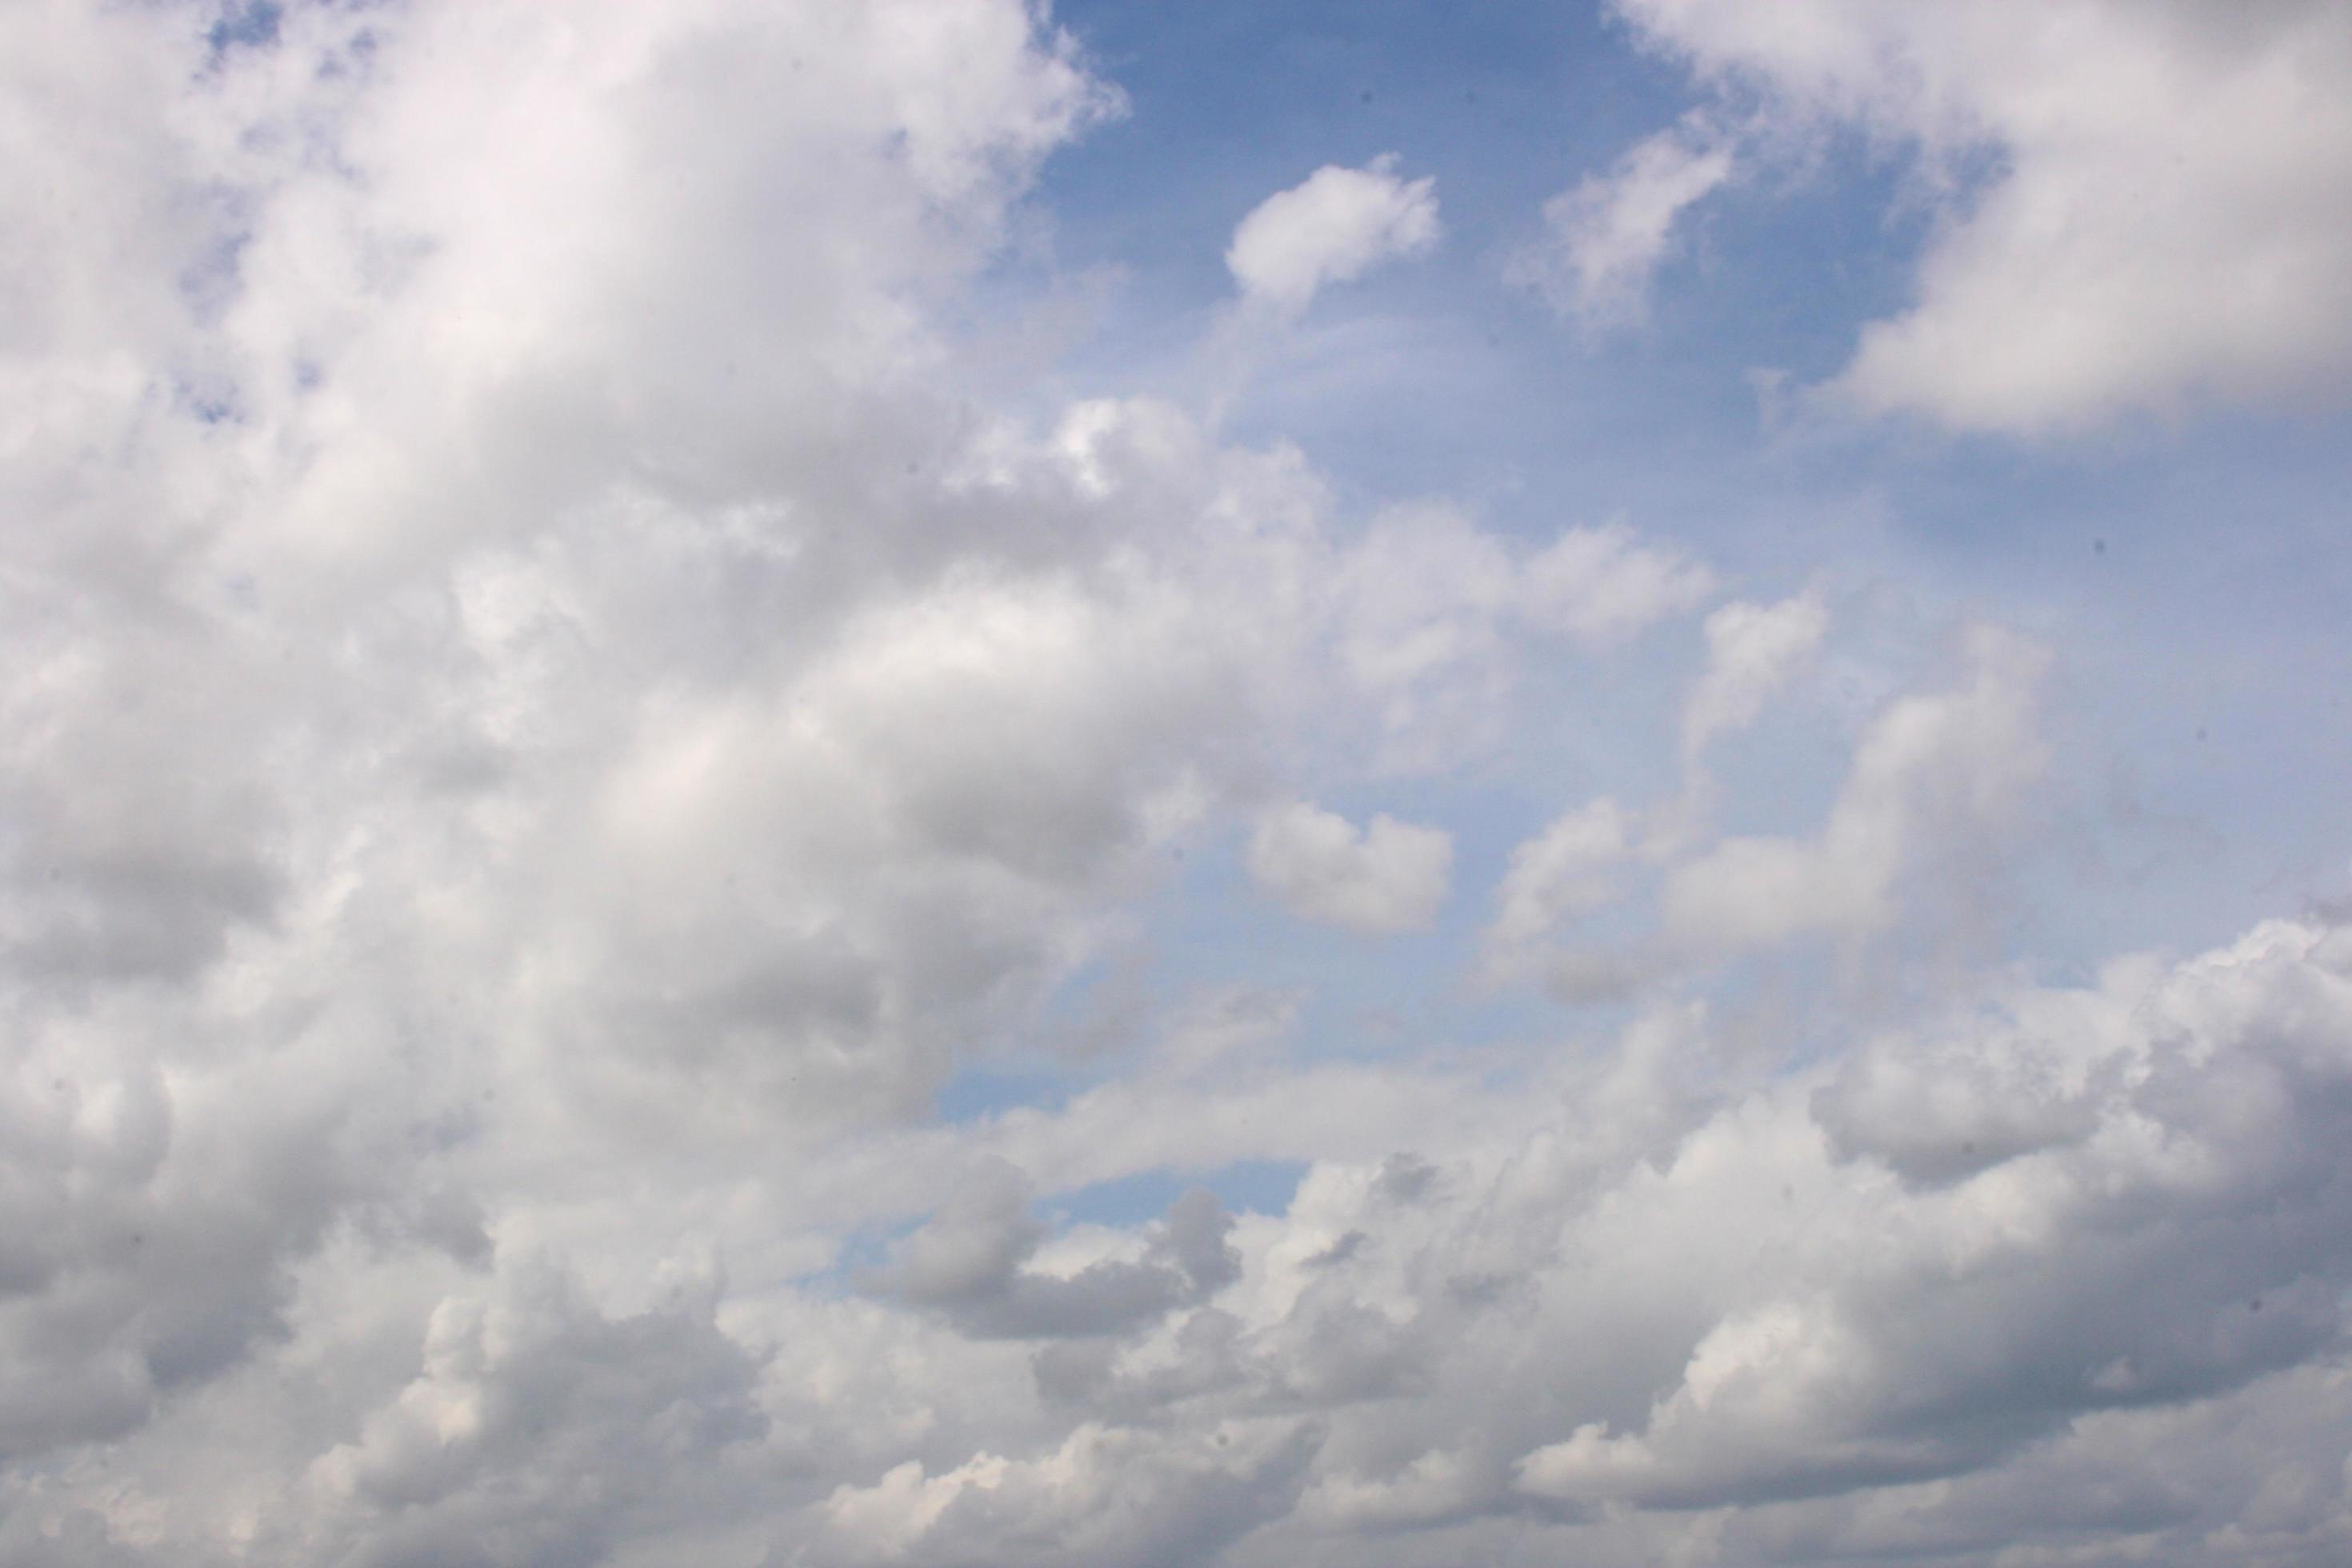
2007, 1238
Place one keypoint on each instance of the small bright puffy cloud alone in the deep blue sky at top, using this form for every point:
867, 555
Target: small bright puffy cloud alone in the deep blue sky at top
1335, 227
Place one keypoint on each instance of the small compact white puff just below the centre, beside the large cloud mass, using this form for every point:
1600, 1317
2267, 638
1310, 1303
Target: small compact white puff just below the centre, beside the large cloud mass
1379, 880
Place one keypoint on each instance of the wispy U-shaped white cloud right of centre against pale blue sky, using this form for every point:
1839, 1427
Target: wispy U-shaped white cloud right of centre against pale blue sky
1918, 838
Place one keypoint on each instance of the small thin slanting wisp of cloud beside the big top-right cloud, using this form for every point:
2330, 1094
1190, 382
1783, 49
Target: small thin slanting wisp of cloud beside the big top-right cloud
1605, 239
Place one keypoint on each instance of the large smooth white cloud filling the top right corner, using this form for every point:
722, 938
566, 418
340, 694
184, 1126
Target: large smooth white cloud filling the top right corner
2167, 215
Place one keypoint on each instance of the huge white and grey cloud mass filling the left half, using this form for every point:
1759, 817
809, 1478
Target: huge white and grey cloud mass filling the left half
552, 706
